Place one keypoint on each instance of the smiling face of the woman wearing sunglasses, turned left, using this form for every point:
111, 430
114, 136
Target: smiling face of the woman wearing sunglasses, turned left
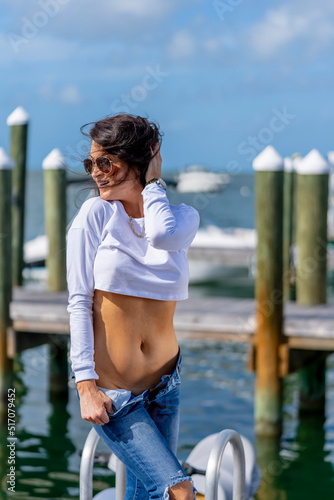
109, 184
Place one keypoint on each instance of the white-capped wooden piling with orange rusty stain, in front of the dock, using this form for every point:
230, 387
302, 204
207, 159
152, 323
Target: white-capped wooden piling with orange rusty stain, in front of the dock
268, 167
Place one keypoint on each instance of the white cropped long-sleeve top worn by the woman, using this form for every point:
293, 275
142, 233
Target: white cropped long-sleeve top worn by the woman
103, 253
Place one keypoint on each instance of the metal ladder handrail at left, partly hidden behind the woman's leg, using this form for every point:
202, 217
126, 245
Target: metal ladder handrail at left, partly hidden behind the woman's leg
86, 469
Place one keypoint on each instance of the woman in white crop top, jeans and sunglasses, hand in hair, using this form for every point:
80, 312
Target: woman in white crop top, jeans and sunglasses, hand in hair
126, 268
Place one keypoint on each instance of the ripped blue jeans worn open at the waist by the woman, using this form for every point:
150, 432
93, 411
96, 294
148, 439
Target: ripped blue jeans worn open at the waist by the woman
143, 434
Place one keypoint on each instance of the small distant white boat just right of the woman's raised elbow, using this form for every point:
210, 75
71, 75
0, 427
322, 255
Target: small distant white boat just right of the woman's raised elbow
197, 179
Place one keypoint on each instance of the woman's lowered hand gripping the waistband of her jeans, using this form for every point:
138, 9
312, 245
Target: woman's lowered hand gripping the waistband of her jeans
94, 404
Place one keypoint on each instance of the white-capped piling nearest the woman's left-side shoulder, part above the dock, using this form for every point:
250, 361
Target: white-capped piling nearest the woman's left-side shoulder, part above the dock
55, 219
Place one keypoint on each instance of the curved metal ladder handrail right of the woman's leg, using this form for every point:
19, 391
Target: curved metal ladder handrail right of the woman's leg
213, 467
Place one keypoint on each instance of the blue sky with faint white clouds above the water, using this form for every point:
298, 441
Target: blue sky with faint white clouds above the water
223, 78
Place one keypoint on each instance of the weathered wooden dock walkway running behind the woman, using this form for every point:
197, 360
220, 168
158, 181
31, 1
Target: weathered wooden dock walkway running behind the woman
44, 316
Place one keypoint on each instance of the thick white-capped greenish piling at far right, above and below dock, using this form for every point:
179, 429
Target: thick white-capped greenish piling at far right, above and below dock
311, 241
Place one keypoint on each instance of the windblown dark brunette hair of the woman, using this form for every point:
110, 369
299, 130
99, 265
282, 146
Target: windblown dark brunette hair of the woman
128, 137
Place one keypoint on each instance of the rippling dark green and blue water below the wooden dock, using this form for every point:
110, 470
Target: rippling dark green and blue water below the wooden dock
217, 393
